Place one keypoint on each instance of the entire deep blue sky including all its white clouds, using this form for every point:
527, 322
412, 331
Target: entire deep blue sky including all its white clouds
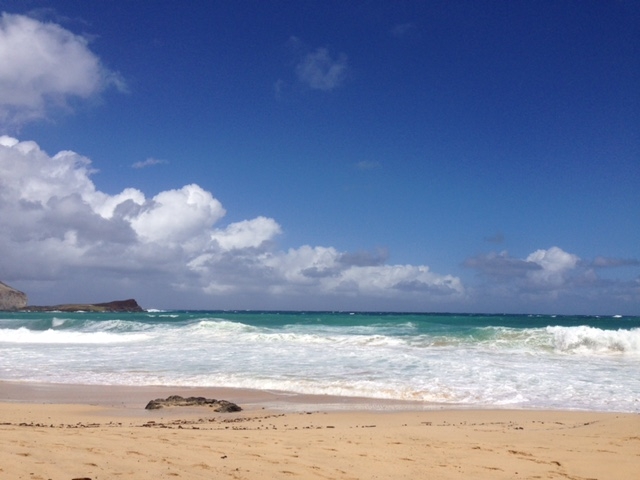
431, 156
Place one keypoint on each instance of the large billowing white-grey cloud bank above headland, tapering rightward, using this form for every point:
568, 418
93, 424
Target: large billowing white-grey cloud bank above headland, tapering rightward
57, 224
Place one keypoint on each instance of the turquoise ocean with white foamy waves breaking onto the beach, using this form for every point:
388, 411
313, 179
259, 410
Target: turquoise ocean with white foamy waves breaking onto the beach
450, 360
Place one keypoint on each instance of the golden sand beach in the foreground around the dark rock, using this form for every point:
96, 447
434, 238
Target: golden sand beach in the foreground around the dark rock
105, 433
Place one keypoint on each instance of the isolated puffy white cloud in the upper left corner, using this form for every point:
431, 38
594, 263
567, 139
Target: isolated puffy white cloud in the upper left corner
42, 66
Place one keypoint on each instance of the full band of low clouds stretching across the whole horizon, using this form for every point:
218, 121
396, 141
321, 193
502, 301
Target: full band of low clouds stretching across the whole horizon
59, 227
